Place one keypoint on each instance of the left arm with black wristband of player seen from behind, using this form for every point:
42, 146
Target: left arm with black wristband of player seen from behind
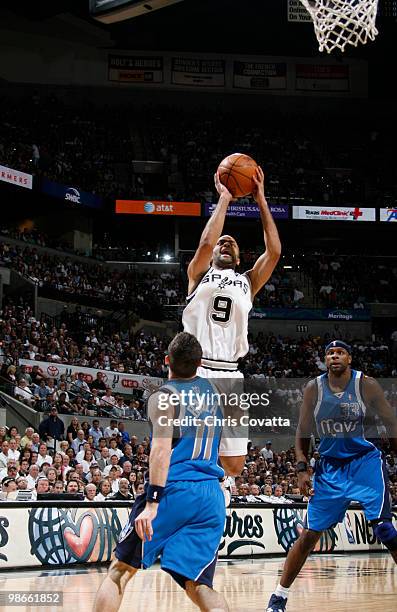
160, 413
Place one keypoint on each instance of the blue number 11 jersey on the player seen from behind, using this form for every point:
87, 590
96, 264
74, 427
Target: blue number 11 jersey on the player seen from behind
198, 429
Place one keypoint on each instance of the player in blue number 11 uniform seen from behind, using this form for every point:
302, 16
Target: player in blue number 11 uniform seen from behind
180, 517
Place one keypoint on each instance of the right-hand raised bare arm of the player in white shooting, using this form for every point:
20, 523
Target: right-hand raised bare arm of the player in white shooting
265, 264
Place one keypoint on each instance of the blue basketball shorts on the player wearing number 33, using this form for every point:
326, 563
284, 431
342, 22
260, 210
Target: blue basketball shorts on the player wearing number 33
337, 482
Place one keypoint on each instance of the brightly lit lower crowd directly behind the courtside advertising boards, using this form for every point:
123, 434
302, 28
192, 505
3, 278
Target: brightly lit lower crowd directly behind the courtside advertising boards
107, 464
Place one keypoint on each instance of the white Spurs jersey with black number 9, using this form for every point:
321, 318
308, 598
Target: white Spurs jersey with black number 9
217, 315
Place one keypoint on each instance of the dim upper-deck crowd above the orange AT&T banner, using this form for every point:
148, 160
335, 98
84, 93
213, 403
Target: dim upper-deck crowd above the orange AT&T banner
92, 148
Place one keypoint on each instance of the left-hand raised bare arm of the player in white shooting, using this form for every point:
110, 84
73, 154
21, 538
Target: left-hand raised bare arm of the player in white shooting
210, 236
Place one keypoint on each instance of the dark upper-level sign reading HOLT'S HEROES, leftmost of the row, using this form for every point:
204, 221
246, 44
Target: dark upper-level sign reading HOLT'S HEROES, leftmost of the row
136, 69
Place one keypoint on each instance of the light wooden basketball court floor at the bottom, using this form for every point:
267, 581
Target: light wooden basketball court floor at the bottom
354, 583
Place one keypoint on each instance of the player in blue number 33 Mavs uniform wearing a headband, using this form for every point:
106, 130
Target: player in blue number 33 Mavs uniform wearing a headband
341, 402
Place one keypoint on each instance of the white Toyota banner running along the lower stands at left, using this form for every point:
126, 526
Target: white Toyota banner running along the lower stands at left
118, 381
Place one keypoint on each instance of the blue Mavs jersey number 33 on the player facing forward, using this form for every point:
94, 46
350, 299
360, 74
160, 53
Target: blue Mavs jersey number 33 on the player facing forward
340, 419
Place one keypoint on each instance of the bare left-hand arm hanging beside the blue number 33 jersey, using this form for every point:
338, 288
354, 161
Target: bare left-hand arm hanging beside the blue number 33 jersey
303, 436
